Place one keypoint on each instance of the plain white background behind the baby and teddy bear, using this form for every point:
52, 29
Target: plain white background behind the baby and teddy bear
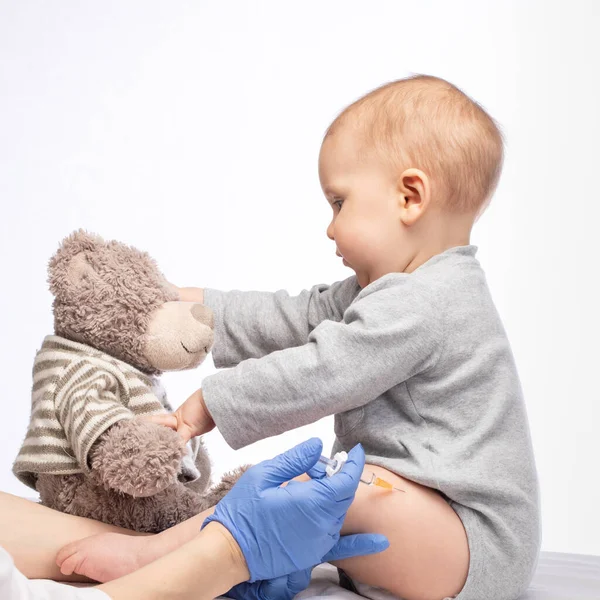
192, 130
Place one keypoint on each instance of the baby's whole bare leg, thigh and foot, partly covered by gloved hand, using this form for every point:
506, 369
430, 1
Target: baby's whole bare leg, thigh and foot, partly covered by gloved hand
428, 558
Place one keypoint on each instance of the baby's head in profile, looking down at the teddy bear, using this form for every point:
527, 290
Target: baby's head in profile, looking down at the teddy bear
413, 163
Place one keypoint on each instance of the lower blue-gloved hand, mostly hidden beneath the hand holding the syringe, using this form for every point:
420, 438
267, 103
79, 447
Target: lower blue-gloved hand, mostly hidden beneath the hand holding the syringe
287, 587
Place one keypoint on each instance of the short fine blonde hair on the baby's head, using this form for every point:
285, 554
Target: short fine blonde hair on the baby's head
427, 123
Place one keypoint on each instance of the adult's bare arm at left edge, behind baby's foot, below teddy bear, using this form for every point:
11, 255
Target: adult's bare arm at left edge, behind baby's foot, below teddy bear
33, 534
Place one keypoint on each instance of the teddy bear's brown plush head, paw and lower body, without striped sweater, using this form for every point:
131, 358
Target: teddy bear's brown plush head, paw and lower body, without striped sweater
113, 297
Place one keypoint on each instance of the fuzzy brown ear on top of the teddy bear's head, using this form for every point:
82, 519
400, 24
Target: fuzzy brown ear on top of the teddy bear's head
69, 266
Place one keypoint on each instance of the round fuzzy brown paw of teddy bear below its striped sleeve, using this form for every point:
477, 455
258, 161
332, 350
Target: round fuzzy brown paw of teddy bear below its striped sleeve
137, 458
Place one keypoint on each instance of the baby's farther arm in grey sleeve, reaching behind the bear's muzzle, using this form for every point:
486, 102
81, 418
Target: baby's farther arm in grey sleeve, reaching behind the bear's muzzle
254, 324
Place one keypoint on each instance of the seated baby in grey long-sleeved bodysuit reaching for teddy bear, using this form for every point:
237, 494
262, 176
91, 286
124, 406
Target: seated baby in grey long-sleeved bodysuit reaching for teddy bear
409, 354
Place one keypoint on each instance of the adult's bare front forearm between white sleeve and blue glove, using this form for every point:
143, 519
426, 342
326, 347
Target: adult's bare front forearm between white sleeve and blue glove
203, 569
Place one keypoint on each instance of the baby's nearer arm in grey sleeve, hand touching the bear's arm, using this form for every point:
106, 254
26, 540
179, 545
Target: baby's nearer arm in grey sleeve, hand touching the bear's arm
385, 337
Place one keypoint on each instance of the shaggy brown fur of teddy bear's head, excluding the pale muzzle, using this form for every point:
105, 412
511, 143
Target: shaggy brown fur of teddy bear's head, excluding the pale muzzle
110, 299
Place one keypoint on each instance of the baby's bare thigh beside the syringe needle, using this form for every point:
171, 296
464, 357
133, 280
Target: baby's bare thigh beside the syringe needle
428, 557
